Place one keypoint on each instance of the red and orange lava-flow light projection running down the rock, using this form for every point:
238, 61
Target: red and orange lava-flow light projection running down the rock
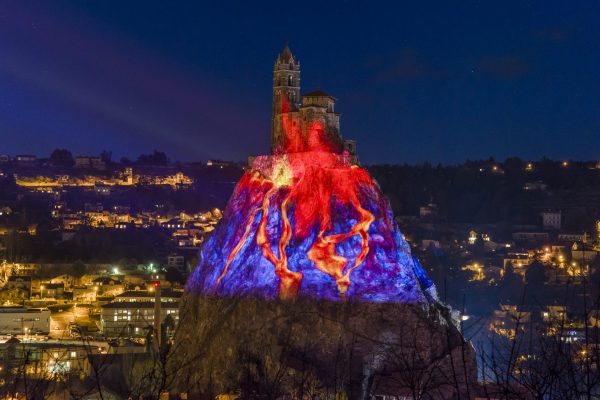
312, 177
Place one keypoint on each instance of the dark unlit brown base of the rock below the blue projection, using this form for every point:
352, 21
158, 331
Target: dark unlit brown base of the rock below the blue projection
319, 349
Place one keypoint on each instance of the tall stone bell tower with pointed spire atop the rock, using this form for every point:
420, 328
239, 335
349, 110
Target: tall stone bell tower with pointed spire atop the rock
286, 93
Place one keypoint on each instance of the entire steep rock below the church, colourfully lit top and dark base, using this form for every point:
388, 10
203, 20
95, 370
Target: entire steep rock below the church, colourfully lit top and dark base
307, 288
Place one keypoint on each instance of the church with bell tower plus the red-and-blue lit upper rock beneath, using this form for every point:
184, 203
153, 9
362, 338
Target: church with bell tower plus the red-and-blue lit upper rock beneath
306, 221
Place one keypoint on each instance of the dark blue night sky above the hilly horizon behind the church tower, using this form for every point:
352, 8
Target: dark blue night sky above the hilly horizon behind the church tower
421, 81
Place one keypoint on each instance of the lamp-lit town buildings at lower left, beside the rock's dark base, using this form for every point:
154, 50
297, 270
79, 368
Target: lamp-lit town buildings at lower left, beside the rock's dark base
67, 325
